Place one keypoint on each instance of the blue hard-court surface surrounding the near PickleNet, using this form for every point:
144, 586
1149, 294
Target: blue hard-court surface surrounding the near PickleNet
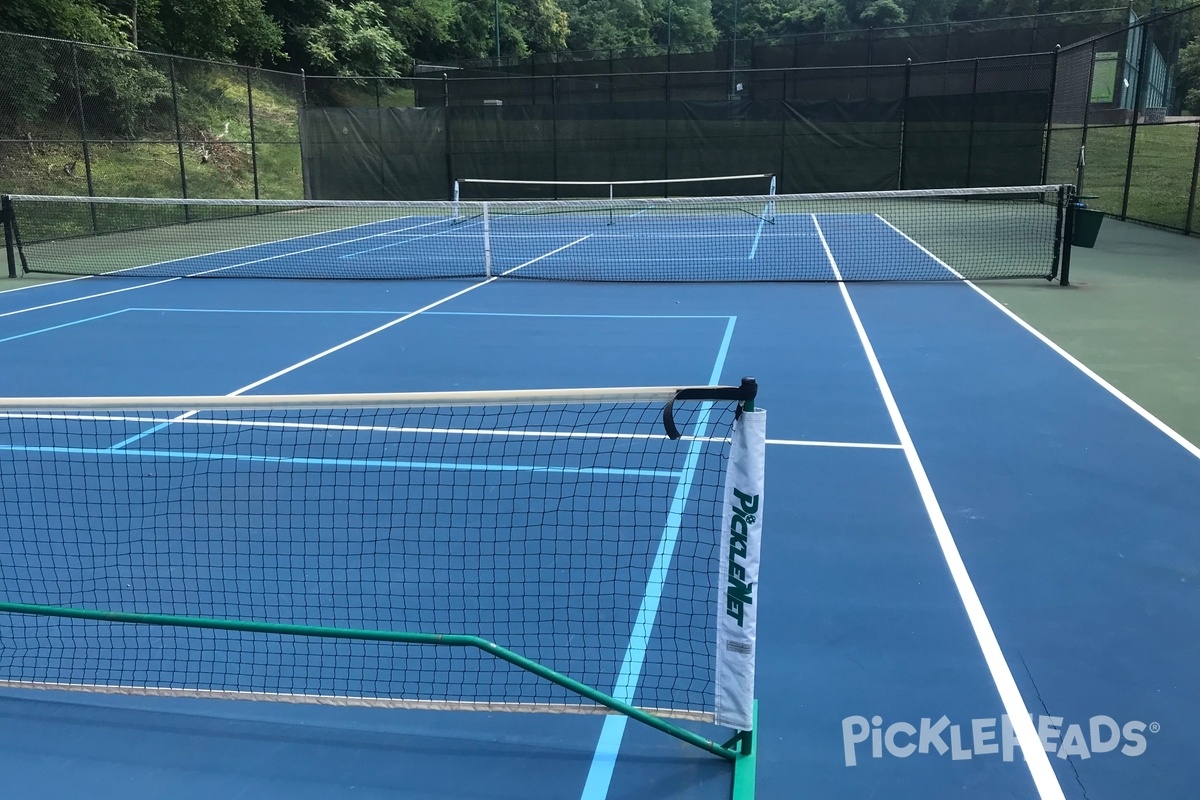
980, 562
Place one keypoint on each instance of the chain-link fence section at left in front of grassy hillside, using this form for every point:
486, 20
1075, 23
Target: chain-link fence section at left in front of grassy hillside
91, 121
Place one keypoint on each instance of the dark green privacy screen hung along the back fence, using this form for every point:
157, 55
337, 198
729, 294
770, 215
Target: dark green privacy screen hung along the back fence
977, 123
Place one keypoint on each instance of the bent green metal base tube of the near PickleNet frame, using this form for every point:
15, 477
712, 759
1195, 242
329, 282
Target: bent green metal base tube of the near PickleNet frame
398, 637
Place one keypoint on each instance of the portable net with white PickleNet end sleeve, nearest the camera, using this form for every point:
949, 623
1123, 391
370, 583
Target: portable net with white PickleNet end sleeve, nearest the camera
320, 549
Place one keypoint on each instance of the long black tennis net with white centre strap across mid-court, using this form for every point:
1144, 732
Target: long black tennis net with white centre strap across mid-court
919, 236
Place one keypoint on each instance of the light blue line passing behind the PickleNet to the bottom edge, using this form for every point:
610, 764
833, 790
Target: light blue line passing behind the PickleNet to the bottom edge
604, 761
